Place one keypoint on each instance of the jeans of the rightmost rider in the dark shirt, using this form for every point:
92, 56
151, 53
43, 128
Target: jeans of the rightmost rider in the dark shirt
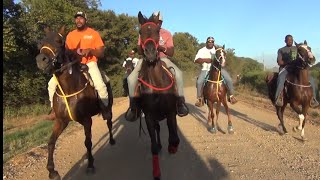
282, 78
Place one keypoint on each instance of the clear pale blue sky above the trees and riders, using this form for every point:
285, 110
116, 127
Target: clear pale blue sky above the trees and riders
254, 28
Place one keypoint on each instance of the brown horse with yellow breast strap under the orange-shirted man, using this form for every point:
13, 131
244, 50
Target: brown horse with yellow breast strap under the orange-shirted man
75, 99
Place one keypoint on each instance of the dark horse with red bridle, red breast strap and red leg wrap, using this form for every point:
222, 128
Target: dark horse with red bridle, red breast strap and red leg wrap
157, 91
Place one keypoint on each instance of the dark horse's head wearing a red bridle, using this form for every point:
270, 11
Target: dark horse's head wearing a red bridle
149, 36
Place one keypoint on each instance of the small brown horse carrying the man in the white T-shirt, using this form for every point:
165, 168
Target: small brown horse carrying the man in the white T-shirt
215, 90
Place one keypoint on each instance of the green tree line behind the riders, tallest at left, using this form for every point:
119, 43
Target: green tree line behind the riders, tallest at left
24, 84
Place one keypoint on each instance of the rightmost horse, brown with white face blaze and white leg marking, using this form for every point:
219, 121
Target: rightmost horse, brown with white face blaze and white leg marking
297, 91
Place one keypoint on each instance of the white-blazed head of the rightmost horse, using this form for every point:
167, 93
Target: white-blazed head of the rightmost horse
305, 55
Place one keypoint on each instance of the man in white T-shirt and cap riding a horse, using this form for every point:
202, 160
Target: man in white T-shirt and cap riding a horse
203, 57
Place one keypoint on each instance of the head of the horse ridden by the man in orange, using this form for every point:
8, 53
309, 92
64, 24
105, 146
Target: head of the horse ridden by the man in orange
51, 49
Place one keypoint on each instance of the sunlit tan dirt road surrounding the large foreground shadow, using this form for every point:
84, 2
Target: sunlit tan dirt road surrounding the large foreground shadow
255, 151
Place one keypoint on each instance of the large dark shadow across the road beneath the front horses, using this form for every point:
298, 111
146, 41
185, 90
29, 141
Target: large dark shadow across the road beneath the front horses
131, 158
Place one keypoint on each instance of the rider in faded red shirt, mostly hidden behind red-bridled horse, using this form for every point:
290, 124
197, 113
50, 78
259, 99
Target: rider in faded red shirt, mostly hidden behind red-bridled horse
166, 49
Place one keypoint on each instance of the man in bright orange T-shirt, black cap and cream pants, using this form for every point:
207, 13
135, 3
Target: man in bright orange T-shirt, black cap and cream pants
89, 44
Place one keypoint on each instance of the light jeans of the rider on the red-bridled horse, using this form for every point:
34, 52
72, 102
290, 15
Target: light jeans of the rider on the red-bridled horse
133, 77
